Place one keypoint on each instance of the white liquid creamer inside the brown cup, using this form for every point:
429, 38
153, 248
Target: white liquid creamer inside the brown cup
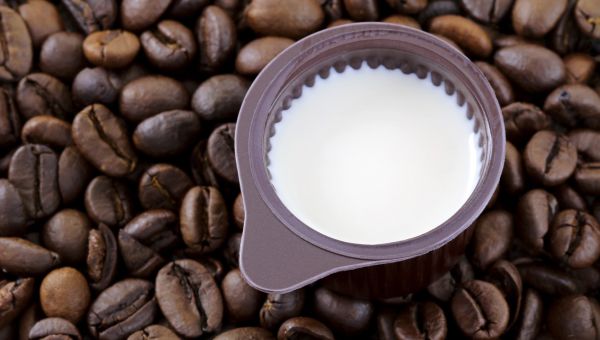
374, 156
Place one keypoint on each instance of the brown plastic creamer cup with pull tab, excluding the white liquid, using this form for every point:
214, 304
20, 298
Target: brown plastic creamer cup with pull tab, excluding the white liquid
278, 252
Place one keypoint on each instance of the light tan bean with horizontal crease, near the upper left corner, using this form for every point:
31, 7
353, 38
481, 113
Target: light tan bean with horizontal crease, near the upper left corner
111, 48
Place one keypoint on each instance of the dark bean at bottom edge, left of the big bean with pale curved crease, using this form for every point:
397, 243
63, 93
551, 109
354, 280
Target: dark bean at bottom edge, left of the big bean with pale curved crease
121, 309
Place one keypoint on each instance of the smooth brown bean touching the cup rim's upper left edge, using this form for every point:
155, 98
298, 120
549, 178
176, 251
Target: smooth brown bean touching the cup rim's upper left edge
253, 57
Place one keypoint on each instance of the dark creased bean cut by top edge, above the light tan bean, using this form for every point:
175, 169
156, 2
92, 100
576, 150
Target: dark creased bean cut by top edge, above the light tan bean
92, 15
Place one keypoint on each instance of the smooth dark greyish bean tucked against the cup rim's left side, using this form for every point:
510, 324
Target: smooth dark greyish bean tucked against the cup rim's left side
220, 97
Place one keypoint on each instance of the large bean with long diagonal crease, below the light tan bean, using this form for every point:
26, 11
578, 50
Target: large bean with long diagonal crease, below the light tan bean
102, 139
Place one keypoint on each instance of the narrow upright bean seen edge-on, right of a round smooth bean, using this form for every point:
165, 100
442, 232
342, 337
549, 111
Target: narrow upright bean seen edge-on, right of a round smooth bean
101, 257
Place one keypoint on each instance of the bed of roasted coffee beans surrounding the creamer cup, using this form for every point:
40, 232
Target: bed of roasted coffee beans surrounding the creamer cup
120, 212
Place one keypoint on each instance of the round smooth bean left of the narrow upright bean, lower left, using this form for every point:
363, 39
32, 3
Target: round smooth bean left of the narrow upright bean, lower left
66, 233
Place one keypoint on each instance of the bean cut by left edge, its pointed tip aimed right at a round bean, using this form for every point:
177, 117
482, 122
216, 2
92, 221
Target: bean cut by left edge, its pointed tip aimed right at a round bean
21, 257
